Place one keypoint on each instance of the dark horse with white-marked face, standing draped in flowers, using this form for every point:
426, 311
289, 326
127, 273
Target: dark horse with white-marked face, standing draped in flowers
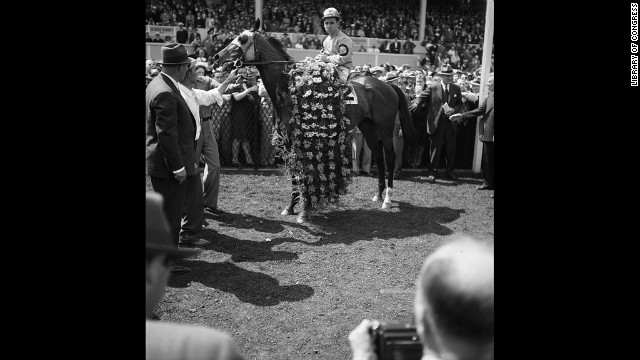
375, 113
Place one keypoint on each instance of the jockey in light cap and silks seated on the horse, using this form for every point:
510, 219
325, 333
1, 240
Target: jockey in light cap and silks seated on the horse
337, 48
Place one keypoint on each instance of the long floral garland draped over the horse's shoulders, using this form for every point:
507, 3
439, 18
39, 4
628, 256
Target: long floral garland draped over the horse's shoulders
314, 150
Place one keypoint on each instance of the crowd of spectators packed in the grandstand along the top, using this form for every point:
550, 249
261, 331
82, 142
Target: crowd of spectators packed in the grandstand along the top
453, 33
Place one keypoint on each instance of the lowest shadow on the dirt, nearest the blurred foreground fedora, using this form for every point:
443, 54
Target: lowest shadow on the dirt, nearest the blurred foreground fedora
248, 286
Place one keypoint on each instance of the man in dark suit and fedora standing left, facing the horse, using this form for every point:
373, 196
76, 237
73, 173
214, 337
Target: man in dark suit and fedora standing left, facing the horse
170, 140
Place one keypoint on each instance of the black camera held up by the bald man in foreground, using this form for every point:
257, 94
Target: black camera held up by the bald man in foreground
396, 341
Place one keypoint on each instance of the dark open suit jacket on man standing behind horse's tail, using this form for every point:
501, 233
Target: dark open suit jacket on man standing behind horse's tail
432, 99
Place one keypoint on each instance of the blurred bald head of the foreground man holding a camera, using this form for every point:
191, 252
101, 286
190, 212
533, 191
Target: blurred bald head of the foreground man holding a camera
455, 298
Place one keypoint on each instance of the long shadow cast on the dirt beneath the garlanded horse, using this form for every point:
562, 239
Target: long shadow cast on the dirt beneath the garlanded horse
345, 227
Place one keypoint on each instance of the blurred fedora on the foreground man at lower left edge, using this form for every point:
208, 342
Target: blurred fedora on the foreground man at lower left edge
159, 231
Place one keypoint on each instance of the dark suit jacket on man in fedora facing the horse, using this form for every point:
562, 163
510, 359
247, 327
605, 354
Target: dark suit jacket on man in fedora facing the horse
171, 128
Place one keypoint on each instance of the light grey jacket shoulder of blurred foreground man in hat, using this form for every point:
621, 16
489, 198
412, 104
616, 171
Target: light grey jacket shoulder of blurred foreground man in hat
188, 342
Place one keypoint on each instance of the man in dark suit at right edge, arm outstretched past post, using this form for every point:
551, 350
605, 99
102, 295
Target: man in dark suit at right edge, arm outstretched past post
485, 130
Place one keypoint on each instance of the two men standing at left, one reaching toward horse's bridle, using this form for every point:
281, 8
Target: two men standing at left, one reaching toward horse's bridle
176, 137
